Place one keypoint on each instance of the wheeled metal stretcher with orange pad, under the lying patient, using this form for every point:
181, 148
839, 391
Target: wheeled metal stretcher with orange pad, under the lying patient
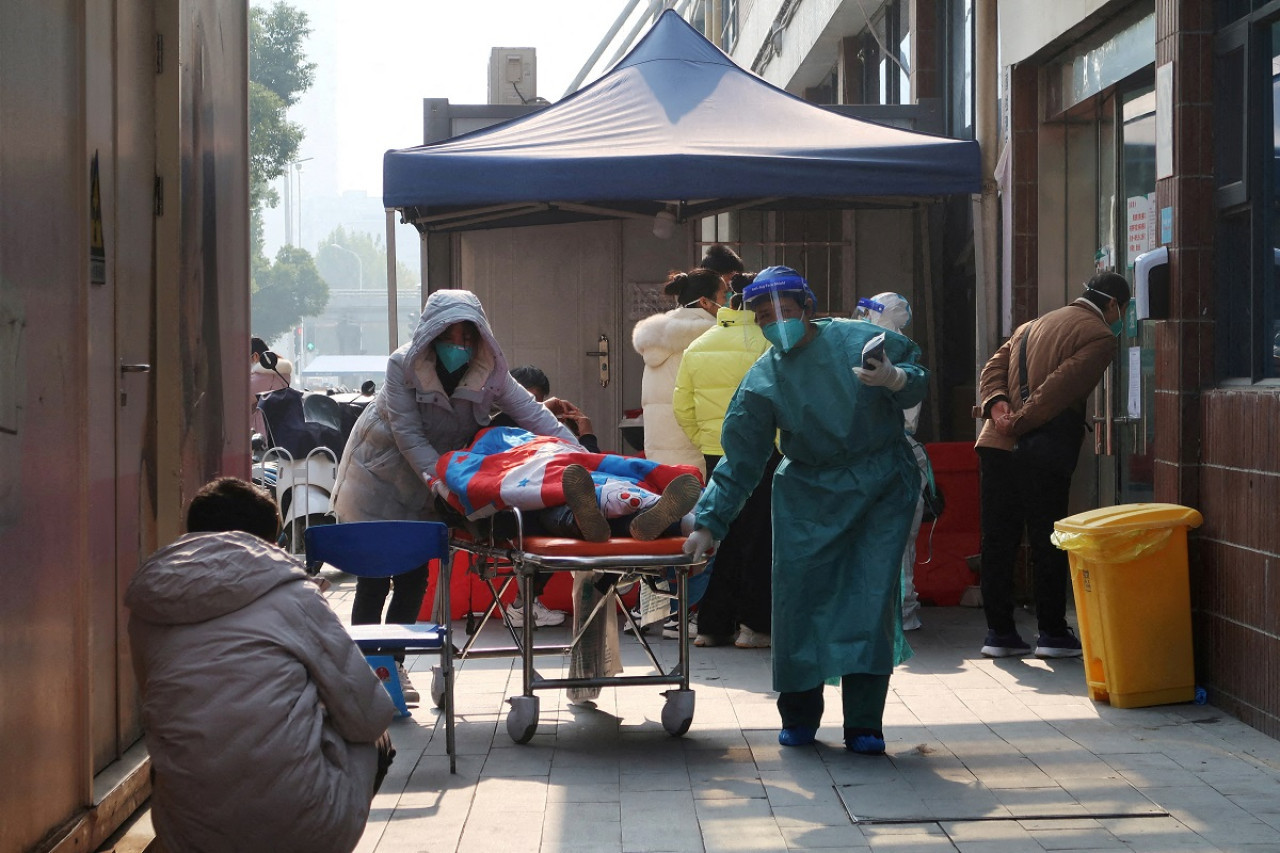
616, 565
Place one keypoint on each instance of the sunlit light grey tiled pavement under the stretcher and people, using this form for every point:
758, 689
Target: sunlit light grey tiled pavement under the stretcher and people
985, 756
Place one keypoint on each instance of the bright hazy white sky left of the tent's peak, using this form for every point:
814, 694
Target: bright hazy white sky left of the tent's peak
378, 60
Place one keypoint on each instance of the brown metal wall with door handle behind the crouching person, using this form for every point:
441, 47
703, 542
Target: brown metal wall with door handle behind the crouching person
97, 462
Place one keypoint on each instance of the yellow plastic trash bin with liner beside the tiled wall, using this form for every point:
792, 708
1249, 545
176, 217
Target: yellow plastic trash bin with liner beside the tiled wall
1133, 601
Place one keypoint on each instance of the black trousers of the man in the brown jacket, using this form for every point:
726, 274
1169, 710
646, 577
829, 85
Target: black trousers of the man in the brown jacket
1018, 499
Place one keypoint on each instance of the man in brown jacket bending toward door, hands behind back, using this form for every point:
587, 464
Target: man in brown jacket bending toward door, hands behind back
1034, 394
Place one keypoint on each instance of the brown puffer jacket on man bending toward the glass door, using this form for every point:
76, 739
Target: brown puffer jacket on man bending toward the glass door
1071, 349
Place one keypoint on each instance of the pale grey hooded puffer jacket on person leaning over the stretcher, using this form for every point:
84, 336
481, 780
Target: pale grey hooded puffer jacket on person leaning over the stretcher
413, 422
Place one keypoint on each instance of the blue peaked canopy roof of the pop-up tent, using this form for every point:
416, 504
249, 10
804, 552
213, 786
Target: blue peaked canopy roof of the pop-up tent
674, 124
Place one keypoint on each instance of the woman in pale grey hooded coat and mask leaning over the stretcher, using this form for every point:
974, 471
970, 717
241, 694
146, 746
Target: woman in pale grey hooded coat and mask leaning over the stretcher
441, 390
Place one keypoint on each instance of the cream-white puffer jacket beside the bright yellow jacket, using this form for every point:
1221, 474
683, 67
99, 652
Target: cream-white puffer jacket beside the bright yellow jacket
661, 340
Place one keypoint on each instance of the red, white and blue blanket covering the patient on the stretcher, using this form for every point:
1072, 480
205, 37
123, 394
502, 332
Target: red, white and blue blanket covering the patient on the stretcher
506, 467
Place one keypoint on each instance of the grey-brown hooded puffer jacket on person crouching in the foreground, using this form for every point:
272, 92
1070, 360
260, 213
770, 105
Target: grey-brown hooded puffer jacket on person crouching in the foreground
260, 713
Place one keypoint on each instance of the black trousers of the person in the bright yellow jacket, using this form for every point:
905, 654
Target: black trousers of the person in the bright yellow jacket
742, 585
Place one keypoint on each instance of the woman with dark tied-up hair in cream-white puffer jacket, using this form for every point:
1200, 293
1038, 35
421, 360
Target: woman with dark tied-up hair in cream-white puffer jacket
661, 340
